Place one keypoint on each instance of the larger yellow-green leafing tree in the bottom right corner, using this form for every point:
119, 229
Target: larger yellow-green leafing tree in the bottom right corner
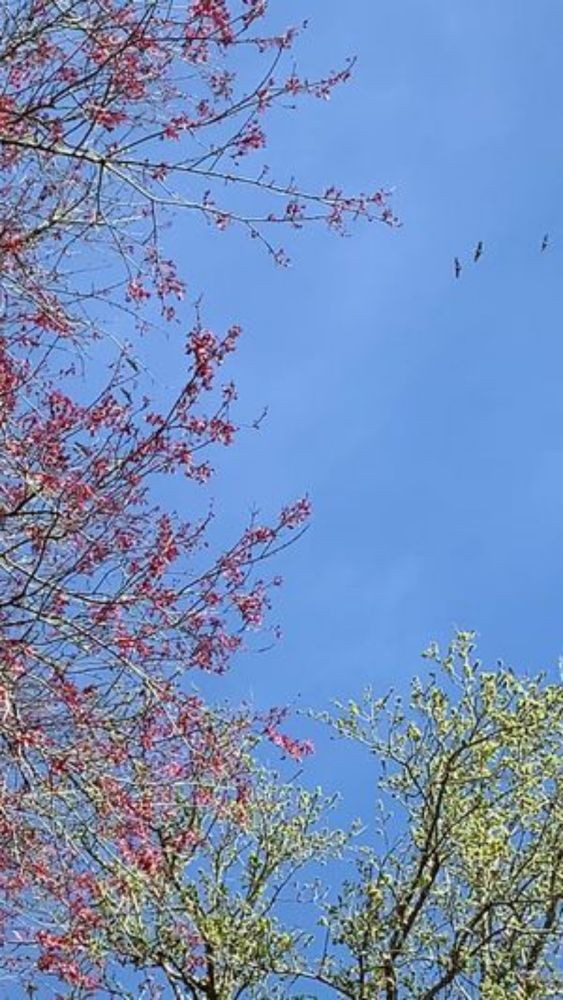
466, 899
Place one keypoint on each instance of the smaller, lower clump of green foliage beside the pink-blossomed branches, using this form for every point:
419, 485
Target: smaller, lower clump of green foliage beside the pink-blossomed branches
214, 923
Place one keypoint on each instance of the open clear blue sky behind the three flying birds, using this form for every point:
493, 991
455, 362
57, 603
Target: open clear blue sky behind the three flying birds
423, 415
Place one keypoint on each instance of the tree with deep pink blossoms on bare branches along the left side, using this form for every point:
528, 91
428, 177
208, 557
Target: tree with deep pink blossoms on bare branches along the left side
113, 117
